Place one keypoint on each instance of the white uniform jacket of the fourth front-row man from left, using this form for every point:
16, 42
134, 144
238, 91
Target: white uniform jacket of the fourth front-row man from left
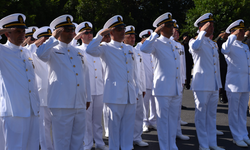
167, 80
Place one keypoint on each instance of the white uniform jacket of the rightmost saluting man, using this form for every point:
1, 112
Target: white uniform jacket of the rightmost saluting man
238, 65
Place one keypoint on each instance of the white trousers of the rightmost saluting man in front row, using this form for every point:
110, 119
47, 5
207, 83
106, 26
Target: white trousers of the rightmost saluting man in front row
237, 114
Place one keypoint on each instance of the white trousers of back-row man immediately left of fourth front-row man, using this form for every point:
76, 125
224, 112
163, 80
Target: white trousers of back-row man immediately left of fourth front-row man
149, 106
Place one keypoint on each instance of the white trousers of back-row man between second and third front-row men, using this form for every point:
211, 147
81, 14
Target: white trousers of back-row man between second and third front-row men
94, 123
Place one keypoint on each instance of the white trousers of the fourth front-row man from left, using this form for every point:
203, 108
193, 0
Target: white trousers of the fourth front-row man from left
167, 108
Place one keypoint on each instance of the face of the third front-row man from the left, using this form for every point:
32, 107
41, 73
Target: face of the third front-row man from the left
118, 33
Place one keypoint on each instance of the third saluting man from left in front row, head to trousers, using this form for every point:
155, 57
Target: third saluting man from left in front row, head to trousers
120, 82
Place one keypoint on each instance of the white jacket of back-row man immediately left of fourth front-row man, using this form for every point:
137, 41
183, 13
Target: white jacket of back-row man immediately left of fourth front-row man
148, 67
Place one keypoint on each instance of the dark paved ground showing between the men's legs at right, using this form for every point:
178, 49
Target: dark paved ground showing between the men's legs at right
187, 115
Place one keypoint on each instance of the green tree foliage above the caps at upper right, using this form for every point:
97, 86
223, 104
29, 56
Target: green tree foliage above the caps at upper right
225, 12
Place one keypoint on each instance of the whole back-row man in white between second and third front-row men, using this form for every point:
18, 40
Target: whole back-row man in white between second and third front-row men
94, 127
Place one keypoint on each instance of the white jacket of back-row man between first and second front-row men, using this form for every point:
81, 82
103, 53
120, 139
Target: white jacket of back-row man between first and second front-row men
42, 75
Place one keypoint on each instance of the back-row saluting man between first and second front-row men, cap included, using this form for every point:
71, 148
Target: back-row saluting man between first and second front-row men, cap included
42, 76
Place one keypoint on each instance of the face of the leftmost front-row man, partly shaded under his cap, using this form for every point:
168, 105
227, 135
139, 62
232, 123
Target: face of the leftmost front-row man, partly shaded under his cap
16, 36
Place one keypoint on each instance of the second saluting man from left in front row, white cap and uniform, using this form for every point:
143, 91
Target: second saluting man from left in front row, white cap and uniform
69, 87
